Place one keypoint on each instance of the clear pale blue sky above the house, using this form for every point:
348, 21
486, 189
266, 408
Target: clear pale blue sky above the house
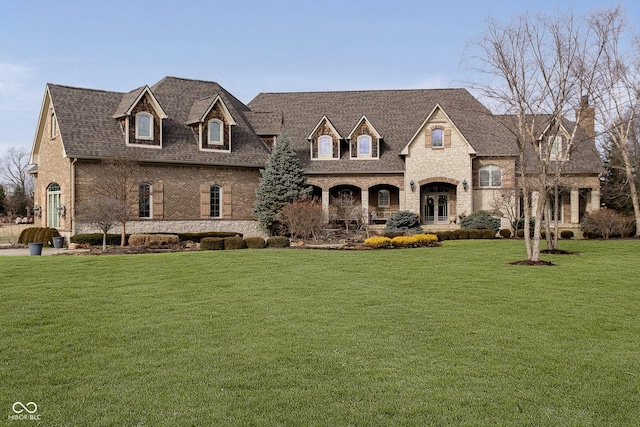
248, 46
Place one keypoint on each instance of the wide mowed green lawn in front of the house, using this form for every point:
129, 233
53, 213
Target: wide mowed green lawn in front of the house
432, 336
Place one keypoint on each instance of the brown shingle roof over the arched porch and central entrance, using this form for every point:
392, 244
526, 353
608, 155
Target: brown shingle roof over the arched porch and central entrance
396, 115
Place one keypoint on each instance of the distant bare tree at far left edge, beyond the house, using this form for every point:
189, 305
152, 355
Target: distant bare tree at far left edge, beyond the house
14, 167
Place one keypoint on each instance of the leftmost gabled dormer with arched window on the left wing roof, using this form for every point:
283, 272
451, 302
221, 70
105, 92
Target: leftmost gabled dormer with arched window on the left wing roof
140, 116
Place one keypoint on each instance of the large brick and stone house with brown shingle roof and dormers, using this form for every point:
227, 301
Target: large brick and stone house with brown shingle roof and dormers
437, 152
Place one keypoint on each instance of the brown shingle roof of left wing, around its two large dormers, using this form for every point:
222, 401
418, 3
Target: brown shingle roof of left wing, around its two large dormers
88, 129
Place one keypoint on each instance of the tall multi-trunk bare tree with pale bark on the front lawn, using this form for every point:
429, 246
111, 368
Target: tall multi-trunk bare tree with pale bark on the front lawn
541, 68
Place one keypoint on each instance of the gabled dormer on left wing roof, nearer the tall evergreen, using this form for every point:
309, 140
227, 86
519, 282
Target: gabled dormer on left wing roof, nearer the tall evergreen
211, 123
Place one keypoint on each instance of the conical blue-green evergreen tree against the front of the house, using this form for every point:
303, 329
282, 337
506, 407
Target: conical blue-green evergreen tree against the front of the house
282, 182
